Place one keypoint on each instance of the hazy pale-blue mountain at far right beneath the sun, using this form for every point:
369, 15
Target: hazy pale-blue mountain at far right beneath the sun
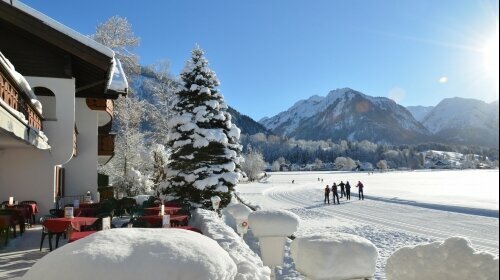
464, 121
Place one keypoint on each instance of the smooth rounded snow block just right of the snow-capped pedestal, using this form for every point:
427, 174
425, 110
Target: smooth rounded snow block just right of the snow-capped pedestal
334, 256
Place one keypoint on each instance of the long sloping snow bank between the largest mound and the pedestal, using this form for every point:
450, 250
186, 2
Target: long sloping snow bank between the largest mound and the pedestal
249, 265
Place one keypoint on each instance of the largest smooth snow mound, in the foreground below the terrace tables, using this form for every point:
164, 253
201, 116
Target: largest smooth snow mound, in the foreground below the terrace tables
135, 253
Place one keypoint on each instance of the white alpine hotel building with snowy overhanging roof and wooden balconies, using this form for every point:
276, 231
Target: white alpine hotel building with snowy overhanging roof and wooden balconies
56, 108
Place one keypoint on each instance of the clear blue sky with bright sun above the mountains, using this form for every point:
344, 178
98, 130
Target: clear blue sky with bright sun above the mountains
268, 54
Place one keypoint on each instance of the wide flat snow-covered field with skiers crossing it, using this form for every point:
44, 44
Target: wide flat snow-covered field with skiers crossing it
400, 208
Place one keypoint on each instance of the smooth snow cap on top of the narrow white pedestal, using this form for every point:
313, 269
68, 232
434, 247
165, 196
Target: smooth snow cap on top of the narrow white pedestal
273, 223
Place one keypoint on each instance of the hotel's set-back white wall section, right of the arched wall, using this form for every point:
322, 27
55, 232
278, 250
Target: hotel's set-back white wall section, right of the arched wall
81, 171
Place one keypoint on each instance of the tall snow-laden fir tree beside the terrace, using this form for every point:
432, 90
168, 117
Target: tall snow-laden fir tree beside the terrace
204, 141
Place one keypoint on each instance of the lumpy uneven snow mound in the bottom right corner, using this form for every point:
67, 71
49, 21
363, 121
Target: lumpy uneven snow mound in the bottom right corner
452, 259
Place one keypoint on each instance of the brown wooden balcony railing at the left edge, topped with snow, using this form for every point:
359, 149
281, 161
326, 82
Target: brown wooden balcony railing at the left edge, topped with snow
18, 100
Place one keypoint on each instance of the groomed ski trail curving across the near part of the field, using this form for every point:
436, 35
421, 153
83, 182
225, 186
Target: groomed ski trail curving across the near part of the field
390, 226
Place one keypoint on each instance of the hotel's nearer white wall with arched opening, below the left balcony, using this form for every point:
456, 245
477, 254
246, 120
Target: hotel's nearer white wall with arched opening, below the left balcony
28, 174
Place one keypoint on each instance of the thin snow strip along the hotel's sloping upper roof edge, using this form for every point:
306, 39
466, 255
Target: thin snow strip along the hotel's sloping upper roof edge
62, 28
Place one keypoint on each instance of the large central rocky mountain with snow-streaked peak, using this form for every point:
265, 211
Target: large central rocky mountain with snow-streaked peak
348, 114
